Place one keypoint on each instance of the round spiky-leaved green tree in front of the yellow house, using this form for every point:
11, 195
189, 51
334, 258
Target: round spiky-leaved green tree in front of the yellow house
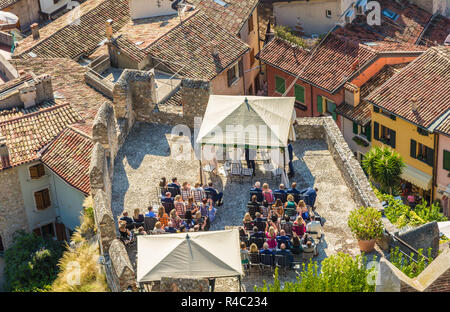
384, 166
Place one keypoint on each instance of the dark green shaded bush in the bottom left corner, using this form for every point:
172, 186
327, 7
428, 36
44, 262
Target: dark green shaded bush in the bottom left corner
31, 263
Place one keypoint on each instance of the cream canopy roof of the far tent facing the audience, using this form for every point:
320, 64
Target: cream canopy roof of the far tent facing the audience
247, 121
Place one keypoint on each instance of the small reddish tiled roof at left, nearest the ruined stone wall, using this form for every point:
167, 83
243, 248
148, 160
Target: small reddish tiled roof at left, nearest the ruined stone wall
69, 156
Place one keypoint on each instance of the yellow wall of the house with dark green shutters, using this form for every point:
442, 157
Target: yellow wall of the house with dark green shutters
405, 131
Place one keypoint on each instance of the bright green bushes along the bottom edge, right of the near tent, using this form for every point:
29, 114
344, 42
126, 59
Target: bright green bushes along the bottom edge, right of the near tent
340, 273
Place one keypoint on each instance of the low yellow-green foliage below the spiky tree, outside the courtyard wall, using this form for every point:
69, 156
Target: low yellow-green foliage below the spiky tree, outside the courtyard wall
402, 215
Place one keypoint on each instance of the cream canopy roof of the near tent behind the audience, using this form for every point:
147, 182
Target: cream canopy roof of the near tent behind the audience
192, 255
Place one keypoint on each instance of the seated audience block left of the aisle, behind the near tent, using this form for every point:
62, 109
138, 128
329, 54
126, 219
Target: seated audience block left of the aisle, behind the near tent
183, 209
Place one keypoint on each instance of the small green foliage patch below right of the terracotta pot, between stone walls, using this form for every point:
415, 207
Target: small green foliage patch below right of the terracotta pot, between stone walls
408, 266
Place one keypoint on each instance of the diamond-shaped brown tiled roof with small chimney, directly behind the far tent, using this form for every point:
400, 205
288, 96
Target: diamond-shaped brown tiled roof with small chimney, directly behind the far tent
186, 49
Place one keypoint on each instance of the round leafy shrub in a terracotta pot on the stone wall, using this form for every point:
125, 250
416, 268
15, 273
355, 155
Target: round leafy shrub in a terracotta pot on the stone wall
366, 225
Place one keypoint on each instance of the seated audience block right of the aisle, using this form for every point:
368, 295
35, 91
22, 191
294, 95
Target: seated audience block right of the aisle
277, 224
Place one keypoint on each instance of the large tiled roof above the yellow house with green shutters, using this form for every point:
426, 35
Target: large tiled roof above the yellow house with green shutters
427, 79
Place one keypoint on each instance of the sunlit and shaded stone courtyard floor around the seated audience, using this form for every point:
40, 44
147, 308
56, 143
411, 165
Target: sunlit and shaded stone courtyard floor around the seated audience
149, 154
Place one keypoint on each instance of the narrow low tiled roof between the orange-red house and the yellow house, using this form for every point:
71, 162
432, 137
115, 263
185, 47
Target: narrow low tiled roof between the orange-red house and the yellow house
361, 113
